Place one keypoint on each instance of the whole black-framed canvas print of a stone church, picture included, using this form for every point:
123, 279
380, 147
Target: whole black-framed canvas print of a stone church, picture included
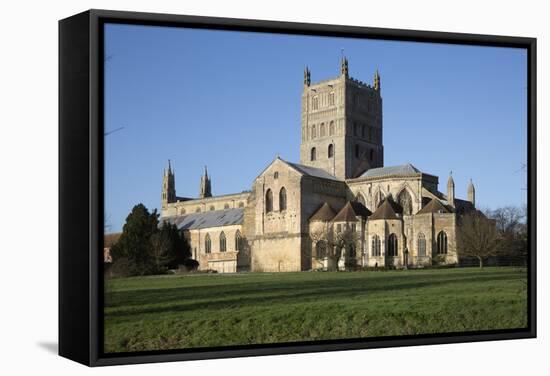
338, 187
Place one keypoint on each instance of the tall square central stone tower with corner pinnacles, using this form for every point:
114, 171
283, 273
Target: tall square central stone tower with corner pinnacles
342, 124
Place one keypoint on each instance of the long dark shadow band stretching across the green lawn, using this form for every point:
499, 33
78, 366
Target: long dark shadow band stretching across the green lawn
215, 297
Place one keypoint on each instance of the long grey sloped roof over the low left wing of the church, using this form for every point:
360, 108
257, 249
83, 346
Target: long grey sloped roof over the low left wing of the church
214, 218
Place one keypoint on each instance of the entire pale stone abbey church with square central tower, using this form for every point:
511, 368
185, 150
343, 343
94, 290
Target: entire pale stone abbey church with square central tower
338, 208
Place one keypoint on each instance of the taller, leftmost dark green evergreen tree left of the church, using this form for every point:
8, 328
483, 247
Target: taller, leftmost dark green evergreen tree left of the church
132, 251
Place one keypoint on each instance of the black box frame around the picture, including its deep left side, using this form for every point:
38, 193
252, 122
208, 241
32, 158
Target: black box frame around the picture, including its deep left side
81, 174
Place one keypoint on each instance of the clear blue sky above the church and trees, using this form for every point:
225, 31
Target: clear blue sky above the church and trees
231, 100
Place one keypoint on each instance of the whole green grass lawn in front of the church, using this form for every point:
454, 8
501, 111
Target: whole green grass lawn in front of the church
185, 311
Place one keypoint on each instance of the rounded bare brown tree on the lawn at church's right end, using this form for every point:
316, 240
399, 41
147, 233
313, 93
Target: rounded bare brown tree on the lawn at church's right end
478, 237
